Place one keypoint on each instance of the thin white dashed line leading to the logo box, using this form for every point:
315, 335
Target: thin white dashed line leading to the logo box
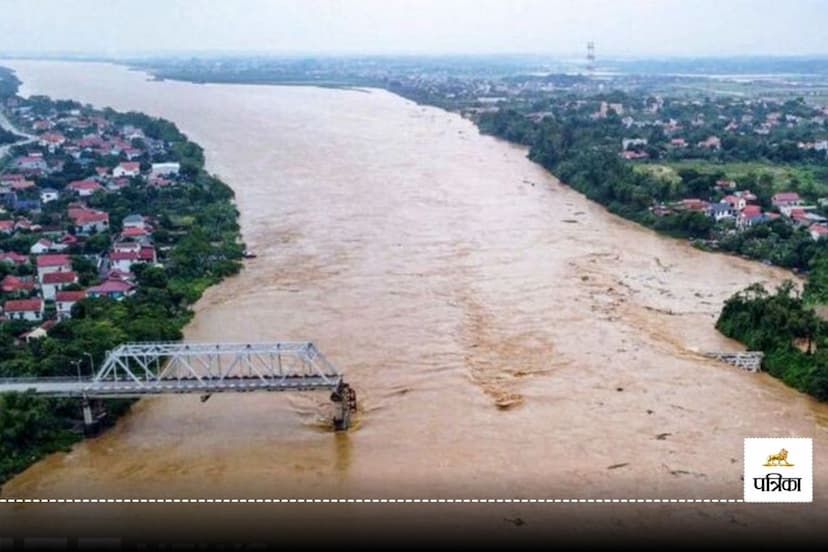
368, 500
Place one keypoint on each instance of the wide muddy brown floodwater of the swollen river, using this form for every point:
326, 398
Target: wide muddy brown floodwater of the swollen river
506, 336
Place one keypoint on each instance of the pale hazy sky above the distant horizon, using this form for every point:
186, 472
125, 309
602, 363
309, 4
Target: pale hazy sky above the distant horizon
618, 27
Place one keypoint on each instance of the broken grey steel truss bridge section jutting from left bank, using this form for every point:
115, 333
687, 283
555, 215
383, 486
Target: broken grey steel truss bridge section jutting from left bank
154, 368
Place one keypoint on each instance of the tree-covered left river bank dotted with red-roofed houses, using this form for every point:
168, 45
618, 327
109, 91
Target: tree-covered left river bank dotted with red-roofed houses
189, 217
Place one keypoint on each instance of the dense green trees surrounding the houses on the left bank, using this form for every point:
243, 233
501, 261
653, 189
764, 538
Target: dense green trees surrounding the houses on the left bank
198, 238
